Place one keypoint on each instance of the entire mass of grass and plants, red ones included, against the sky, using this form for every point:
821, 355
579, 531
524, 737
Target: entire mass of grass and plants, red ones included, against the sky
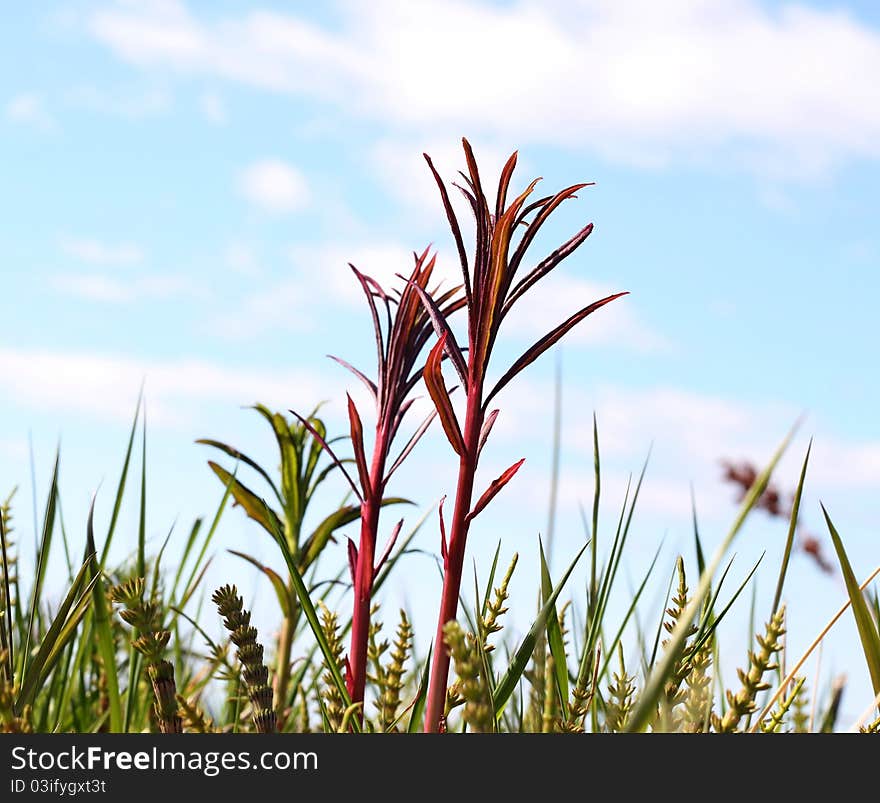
126, 647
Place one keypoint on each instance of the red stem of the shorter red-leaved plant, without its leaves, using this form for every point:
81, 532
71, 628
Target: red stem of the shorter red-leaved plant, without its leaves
363, 578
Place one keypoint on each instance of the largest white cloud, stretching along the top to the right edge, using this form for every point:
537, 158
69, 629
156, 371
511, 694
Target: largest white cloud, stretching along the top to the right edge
642, 82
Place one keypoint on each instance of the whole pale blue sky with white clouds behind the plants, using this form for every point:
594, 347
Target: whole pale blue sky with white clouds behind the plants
182, 185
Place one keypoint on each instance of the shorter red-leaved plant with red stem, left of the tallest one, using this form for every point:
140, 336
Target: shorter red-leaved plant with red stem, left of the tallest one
402, 328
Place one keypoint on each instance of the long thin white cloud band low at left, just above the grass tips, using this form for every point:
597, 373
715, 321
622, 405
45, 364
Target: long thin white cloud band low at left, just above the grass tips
101, 385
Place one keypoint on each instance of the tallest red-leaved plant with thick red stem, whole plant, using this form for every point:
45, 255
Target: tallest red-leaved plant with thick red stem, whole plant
491, 291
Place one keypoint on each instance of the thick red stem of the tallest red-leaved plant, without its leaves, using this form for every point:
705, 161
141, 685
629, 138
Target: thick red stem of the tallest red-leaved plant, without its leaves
454, 563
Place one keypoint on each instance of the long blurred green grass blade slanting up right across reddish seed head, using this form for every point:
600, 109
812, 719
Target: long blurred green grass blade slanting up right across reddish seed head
647, 702
